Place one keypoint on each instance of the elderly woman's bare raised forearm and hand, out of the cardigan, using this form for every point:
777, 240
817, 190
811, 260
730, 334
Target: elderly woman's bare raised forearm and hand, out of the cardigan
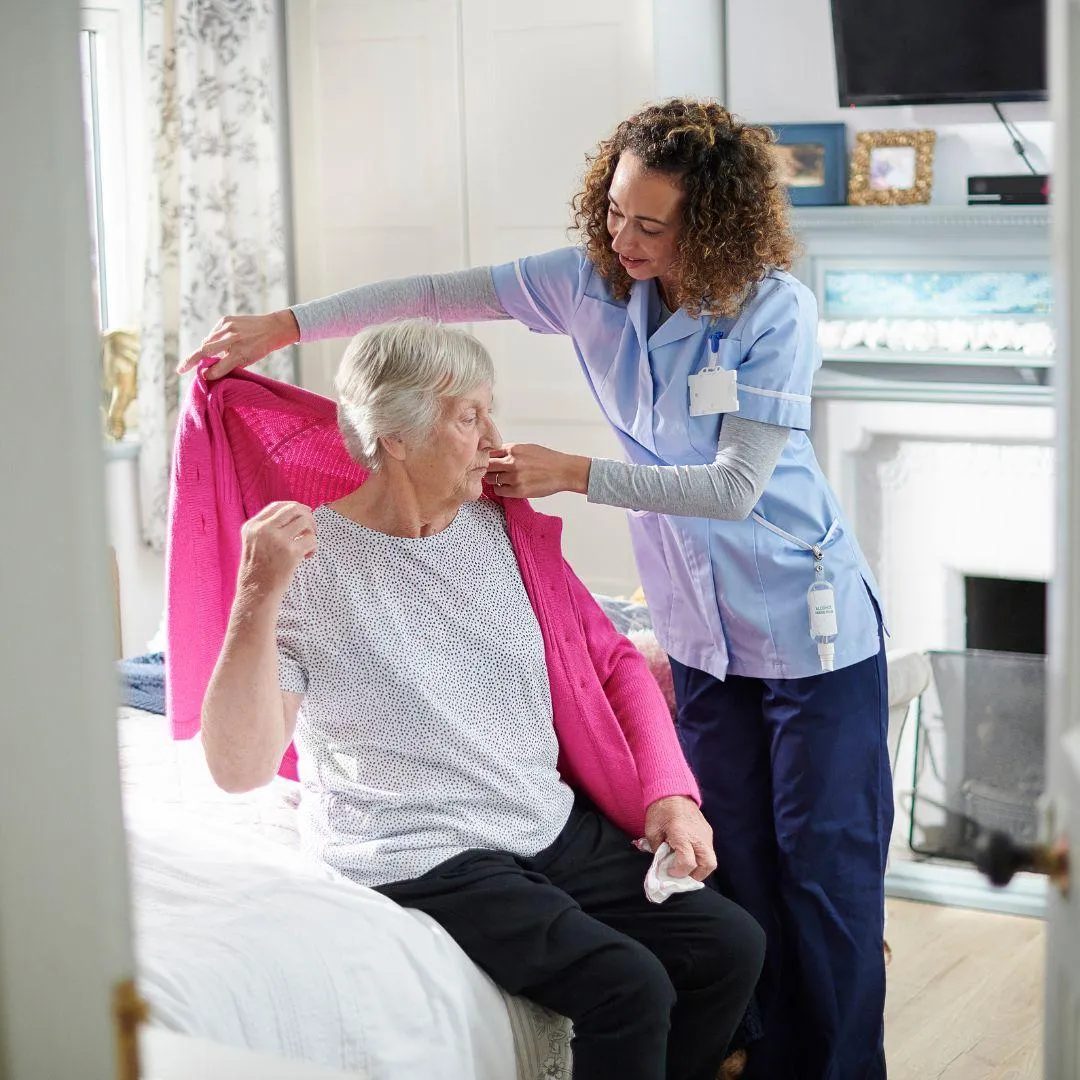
247, 720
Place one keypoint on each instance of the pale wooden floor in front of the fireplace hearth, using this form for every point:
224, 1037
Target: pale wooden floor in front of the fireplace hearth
965, 995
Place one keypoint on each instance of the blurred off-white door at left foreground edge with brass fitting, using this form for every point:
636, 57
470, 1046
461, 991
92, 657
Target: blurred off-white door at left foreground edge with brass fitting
65, 940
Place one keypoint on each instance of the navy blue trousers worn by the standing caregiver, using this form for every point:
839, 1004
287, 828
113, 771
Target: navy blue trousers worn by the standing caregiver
796, 786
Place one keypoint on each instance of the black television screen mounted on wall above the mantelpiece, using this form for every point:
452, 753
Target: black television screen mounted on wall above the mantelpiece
936, 52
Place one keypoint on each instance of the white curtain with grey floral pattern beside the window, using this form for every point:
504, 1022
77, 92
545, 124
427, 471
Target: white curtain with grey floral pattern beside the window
217, 233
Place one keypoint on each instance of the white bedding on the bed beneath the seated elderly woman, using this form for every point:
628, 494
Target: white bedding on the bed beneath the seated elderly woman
242, 941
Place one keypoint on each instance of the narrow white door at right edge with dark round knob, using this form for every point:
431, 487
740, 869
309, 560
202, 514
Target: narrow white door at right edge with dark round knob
1063, 953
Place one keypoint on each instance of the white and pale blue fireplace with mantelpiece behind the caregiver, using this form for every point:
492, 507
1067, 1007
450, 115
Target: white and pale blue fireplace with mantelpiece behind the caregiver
944, 464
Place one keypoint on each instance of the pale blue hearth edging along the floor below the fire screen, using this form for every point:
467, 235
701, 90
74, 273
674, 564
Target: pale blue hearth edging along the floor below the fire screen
954, 886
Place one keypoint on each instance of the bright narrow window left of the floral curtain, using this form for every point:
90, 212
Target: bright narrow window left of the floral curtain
112, 57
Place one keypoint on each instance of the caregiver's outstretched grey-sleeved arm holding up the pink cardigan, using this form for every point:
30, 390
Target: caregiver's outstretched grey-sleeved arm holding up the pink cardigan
461, 298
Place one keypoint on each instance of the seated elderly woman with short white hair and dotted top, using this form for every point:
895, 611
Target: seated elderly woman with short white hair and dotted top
475, 738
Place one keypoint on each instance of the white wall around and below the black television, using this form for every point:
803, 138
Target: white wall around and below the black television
781, 69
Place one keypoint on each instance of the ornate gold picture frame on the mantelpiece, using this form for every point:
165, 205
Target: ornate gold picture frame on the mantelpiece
893, 169
